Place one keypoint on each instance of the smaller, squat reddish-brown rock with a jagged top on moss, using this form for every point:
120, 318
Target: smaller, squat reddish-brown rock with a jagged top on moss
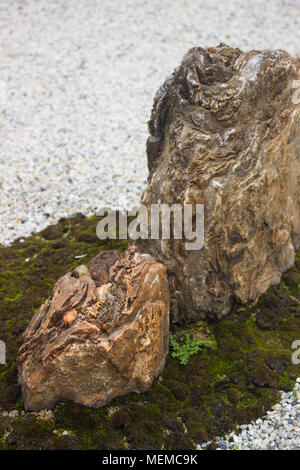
103, 332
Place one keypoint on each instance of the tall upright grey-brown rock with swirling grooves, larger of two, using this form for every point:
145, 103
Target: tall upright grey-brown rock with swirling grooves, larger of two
225, 132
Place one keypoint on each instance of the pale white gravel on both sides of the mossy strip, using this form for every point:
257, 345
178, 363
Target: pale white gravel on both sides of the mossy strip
77, 80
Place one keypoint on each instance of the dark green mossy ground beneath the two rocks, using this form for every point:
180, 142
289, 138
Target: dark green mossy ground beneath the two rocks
233, 381
